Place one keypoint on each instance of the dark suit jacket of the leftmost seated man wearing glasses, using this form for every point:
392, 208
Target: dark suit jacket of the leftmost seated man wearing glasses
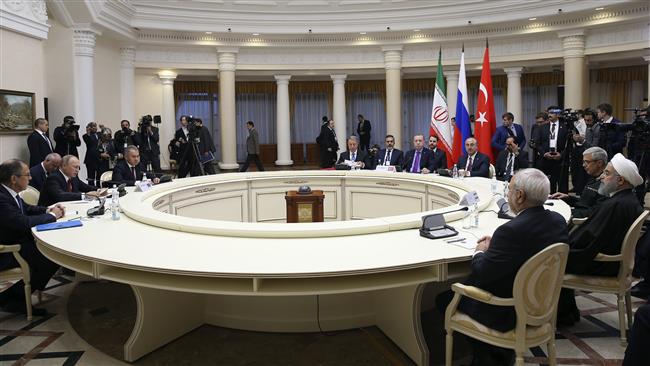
16, 225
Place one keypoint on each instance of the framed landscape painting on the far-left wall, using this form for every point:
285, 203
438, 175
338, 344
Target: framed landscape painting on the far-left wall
17, 112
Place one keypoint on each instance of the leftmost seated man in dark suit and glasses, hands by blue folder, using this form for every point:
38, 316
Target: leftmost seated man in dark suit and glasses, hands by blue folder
16, 220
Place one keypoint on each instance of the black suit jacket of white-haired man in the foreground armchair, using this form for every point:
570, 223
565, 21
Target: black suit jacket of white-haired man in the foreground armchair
512, 244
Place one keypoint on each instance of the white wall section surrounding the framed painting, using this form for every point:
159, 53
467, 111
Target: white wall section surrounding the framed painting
21, 69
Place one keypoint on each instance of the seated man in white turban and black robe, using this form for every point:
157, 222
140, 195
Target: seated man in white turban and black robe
604, 230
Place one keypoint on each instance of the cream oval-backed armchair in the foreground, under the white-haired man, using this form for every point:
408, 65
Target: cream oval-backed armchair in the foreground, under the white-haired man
536, 291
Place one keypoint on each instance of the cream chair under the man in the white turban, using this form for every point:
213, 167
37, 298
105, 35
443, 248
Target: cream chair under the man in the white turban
619, 285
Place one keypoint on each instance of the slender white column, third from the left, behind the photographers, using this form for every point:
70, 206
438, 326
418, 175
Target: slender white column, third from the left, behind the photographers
168, 115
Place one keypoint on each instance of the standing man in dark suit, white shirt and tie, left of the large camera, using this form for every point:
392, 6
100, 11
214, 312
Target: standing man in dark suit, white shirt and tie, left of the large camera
550, 143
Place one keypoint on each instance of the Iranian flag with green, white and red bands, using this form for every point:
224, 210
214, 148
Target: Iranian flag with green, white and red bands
440, 124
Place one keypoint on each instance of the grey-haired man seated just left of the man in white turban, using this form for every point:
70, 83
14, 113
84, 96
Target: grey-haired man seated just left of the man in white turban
594, 160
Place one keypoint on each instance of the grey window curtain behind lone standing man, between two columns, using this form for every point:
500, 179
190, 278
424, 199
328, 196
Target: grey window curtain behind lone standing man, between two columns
371, 105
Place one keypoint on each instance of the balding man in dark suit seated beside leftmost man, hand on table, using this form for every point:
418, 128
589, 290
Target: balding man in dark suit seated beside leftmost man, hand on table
64, 184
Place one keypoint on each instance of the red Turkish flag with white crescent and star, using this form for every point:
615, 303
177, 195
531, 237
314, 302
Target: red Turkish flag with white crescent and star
486, 124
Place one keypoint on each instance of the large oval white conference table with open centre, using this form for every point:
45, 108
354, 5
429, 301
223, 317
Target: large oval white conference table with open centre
214, 250
